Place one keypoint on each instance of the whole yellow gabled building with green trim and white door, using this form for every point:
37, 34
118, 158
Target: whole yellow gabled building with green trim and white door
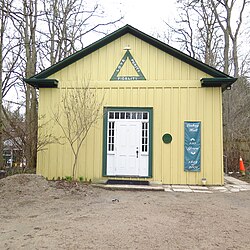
162, 113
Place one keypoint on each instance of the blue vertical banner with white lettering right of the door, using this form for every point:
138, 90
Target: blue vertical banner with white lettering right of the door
192, 146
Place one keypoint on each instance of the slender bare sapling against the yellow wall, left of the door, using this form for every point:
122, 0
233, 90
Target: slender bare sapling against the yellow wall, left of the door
78, 111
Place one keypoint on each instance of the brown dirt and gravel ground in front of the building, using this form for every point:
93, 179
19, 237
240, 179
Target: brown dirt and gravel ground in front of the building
37, 214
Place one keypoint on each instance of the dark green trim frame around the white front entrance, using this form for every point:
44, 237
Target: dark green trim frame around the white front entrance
105, 128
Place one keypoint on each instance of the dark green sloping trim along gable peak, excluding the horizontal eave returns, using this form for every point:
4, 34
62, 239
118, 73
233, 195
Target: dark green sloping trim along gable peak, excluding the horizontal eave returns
139, 34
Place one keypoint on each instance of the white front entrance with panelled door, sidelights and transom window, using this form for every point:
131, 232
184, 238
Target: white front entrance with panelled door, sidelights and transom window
127, 143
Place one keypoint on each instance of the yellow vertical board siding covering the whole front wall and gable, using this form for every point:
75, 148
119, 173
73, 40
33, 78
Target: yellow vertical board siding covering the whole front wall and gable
172, 89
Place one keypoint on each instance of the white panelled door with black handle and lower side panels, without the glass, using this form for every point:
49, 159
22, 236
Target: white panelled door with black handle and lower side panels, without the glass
128, 158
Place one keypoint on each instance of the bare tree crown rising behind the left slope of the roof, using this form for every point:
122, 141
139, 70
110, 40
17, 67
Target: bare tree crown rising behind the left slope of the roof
68, 23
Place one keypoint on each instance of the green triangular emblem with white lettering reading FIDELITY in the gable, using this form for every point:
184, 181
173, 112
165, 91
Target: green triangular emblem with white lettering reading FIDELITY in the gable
117, 77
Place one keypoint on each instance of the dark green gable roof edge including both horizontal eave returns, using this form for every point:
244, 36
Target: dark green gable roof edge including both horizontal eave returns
42, 82
